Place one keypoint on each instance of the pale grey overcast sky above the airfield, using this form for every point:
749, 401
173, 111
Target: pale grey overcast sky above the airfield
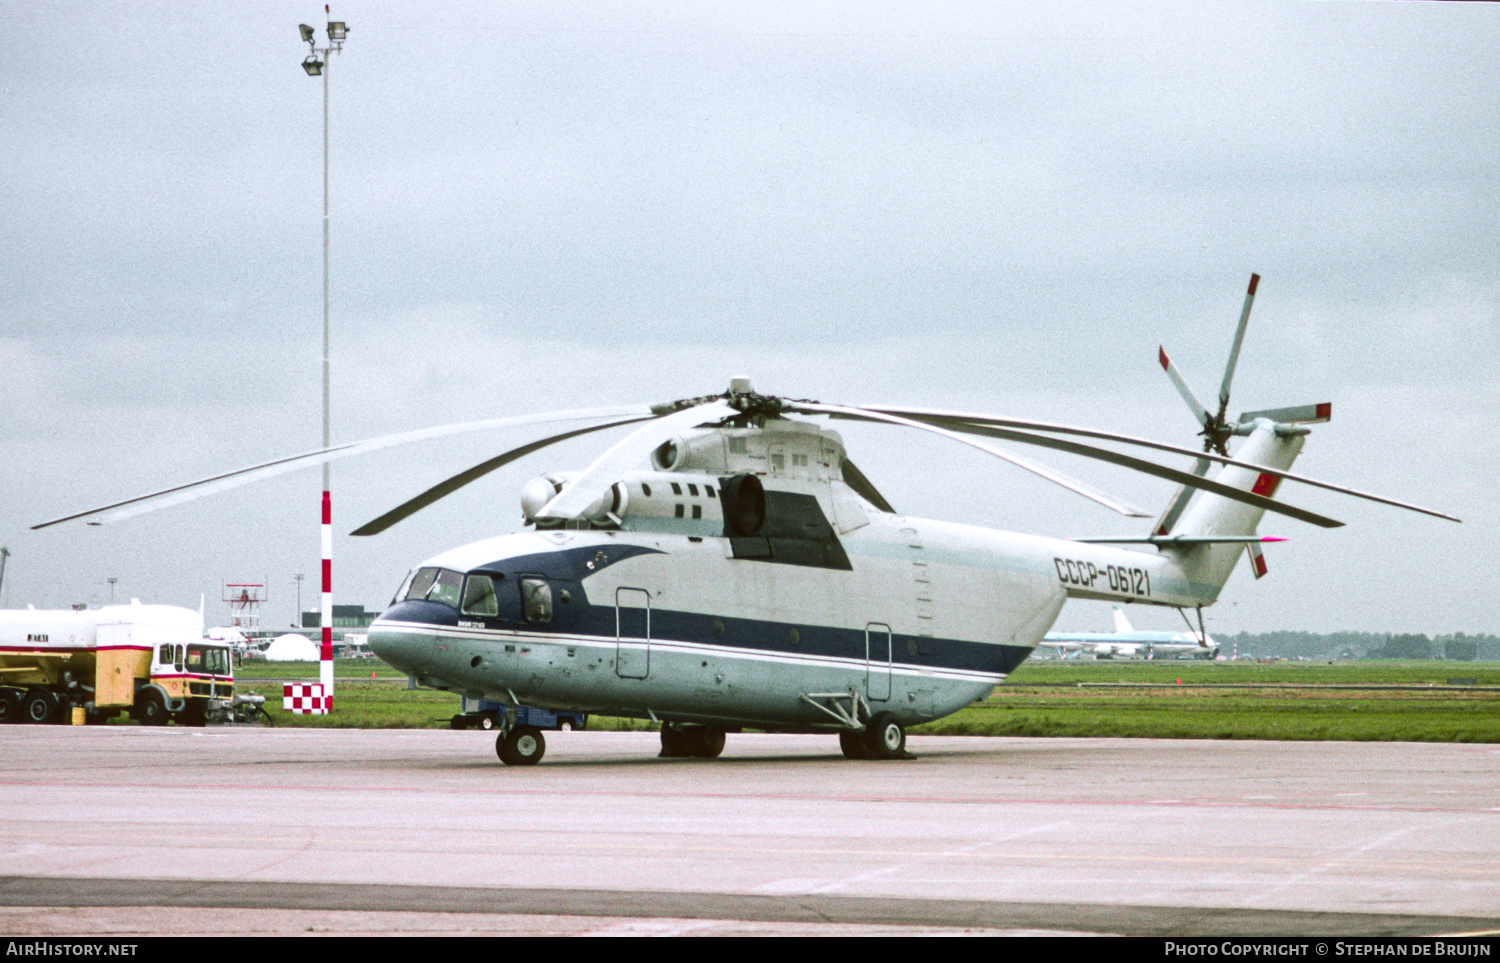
989, 208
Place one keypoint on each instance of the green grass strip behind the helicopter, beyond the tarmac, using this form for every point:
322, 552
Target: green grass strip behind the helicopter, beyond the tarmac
1355, 701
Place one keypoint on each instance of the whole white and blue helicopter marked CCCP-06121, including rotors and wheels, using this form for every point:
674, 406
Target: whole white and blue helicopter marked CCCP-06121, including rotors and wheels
727, 568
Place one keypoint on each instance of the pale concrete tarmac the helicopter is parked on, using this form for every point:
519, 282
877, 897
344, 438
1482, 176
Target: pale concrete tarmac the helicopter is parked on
128, 830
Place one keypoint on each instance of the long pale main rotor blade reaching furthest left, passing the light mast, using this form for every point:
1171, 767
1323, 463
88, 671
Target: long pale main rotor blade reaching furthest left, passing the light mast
311, 460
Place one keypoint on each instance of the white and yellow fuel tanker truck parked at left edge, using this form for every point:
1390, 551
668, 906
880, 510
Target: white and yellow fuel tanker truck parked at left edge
149, 661
